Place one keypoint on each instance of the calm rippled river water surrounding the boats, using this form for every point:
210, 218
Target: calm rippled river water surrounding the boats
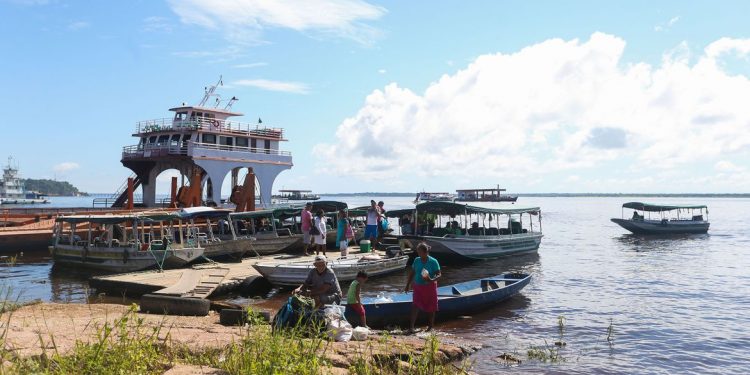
675, 305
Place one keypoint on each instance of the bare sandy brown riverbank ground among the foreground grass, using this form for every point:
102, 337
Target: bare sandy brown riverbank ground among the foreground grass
46, 328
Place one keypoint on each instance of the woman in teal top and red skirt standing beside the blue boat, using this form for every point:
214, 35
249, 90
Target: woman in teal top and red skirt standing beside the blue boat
423, 275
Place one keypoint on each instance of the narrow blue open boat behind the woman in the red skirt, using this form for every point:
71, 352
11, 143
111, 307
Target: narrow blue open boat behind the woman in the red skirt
453, 300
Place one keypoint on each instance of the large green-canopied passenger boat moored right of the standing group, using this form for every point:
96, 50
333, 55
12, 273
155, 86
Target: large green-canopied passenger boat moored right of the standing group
503, 231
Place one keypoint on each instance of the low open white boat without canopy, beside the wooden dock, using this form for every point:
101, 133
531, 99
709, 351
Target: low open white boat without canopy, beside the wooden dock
346, 268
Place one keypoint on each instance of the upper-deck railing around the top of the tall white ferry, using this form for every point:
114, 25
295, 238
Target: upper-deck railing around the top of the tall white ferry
206, 124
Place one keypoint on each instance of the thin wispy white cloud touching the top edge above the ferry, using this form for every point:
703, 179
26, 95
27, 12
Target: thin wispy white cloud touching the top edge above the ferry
243, 21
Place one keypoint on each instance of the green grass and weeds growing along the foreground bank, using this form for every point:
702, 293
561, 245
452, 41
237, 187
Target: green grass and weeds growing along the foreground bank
128, 346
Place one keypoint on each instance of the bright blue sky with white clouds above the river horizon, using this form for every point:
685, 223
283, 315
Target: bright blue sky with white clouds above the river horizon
395, 96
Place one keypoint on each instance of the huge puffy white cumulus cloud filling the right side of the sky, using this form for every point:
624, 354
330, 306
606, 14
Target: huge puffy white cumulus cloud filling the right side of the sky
551, 107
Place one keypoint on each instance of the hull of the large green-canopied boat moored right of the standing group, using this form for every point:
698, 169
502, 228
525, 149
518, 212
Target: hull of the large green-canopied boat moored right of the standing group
476, 247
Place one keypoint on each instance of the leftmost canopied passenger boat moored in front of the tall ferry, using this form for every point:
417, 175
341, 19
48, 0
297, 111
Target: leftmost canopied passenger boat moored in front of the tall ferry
124, 243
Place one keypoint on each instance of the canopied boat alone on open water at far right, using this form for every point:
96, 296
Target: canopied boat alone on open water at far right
670, 219
